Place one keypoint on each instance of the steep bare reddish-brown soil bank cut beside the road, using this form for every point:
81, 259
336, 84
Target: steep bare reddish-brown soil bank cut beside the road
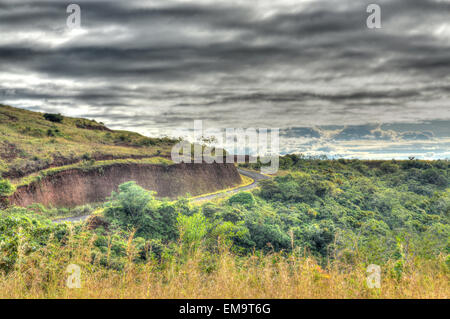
77, 187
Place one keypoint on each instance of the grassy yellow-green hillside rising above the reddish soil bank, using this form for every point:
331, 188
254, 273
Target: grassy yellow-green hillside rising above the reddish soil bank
32, 141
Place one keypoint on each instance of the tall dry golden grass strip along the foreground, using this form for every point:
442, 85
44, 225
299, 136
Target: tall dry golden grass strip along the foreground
192, 272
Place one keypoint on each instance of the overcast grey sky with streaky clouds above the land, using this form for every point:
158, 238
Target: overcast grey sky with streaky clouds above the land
311, 68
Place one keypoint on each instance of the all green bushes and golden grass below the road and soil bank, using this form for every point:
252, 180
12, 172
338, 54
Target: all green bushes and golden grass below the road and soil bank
310, 232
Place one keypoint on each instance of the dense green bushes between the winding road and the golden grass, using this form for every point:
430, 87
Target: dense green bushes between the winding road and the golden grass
371, 211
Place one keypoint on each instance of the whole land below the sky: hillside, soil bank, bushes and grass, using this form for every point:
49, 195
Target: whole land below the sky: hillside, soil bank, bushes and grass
308, 232
